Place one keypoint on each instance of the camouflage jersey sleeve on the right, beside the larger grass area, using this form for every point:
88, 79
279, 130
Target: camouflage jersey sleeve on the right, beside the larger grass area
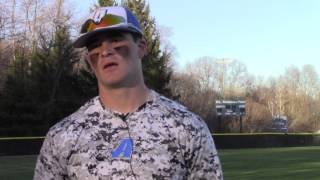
202, 157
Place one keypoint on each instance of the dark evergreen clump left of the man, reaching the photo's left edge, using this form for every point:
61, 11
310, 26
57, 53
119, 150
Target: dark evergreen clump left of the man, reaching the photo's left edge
38, 94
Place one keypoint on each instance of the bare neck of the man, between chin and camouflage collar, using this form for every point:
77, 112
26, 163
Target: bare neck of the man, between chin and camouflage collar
124, 100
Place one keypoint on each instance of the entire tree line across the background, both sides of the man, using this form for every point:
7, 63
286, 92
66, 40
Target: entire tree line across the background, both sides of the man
43, 78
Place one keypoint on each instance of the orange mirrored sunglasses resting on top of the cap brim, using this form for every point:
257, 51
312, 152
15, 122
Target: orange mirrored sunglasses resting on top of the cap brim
106, 21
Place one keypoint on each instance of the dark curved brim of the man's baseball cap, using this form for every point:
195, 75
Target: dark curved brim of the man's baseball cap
85, 38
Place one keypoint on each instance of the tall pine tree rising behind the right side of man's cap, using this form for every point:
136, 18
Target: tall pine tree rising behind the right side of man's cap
156, 68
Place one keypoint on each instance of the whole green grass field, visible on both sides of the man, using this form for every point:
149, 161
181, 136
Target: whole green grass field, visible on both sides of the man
294, 163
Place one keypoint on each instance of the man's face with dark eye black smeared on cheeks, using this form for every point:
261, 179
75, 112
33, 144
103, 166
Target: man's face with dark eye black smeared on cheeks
115, 59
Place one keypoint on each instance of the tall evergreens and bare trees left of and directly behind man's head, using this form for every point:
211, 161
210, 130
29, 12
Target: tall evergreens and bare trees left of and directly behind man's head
43, 78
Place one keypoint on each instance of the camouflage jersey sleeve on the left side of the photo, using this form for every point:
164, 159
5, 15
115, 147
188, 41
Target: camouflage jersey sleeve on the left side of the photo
50, 165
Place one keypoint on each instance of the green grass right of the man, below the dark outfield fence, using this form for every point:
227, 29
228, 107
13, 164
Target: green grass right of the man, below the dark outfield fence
271, 163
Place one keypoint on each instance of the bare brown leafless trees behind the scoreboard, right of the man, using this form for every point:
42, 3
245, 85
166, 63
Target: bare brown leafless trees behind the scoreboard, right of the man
294, 94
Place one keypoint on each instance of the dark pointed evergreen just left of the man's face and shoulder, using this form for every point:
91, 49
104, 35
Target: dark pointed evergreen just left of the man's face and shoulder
65, 90
